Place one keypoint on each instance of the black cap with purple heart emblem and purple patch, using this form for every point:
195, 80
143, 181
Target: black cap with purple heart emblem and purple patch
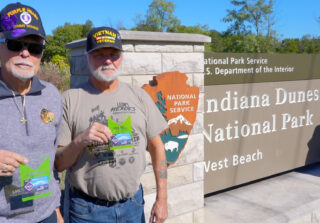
18, 20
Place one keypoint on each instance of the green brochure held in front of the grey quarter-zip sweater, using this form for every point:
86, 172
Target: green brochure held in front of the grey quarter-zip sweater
35, 182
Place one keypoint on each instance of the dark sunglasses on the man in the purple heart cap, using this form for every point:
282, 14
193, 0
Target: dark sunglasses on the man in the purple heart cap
17, 46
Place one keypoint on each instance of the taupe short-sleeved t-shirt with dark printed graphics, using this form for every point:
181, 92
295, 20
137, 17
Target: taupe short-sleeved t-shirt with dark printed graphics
94, 173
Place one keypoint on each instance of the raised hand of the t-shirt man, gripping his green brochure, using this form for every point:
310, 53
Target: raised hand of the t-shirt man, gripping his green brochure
95, 133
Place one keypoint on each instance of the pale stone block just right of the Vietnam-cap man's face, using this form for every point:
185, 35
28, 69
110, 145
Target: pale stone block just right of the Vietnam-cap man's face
141, 63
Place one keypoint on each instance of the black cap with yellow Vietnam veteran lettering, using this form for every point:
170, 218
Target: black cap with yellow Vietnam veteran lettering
103, 37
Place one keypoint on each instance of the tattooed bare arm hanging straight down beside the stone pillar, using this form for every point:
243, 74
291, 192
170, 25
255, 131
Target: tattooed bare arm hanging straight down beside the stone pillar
159, 211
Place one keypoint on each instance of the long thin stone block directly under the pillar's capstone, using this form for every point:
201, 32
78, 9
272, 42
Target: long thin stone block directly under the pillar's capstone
163, 47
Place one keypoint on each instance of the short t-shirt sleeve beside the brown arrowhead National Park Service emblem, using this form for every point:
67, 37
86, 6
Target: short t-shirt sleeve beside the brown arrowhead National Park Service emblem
155, 121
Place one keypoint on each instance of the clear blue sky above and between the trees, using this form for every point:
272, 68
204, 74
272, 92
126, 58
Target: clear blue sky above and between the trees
293, 18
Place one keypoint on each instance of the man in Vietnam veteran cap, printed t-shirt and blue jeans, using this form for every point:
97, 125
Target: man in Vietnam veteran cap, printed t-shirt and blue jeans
107, 127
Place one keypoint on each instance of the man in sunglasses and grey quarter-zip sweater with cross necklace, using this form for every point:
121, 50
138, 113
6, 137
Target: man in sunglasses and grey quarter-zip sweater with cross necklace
30, 117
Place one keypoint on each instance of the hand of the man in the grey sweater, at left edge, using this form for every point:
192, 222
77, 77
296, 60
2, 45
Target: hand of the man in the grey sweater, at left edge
9, 162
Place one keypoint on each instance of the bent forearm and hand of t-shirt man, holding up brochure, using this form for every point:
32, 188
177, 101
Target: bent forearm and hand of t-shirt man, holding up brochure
68, 155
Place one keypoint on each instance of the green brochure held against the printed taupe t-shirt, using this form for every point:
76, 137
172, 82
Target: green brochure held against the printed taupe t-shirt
121, 134
